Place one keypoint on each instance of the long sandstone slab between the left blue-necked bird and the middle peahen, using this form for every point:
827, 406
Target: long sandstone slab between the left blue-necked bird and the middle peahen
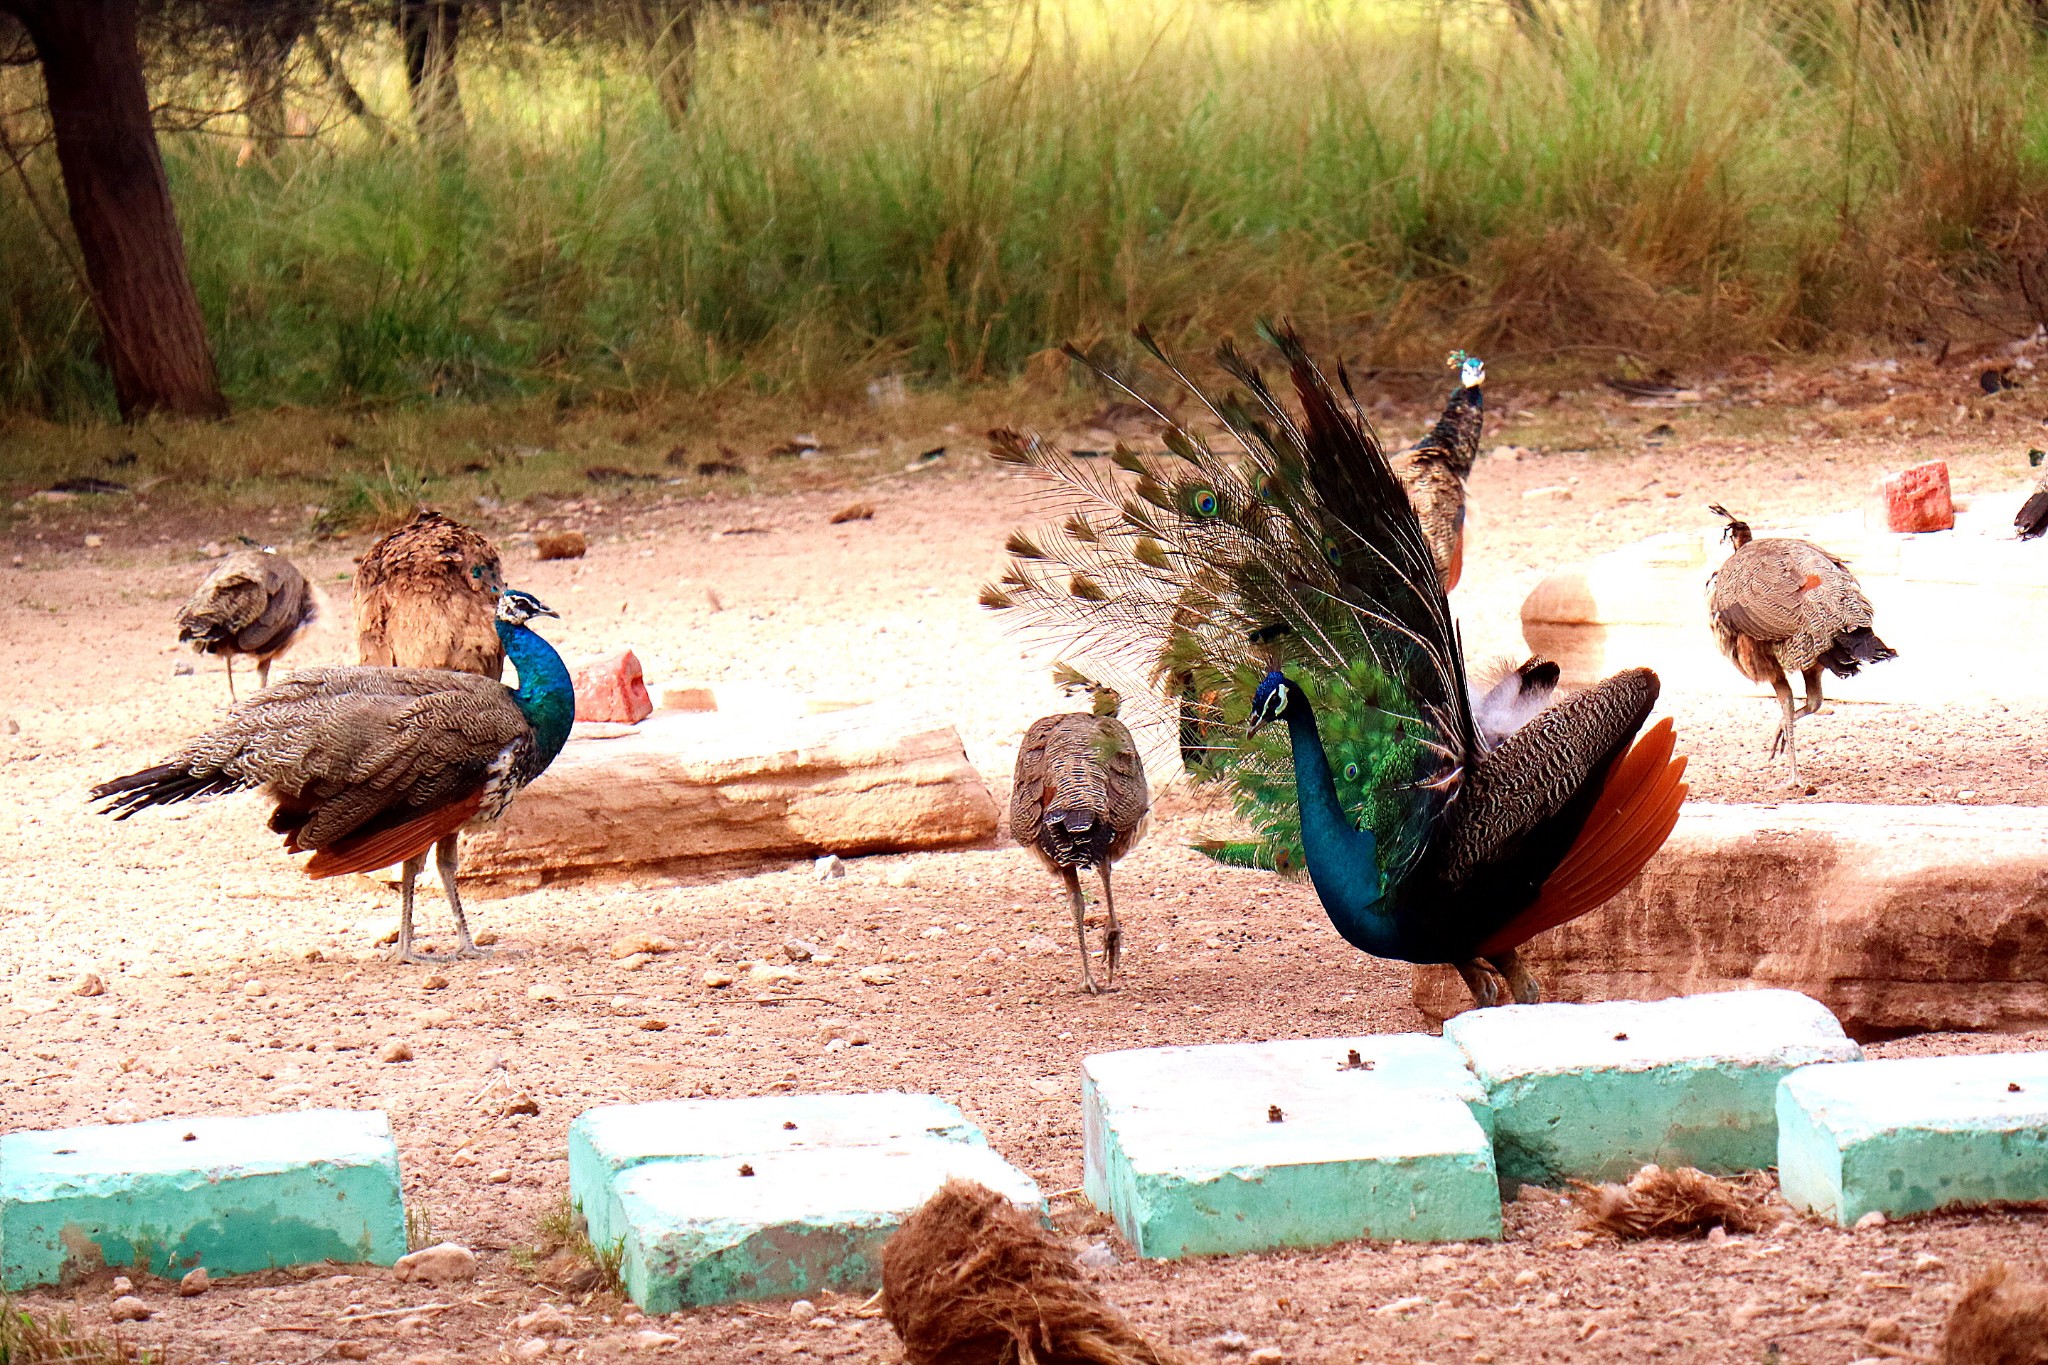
687, 787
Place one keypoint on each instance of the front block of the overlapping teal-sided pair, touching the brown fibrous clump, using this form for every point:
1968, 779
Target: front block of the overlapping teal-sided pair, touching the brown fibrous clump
703, 1233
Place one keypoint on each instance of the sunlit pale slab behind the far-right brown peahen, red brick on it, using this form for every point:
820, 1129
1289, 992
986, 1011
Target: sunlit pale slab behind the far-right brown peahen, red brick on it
1947, 603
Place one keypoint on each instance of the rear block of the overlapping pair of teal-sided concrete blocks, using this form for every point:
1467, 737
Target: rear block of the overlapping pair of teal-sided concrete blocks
613, 1139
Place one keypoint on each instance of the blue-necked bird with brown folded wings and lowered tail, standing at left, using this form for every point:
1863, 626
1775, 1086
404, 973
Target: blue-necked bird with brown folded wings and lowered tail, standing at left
376, 766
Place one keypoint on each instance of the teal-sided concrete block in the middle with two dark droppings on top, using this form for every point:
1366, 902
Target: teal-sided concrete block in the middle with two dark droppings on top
1183, 1151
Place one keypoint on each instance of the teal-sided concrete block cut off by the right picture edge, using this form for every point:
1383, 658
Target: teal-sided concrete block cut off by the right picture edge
1914, 1135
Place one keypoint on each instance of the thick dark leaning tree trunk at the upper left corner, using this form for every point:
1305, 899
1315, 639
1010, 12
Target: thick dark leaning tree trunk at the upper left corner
128, 232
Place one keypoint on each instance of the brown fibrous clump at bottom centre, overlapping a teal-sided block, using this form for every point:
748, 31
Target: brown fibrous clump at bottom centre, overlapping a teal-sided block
974, 1280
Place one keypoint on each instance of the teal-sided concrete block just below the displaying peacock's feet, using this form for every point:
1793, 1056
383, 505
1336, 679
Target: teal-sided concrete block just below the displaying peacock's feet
1594, 1092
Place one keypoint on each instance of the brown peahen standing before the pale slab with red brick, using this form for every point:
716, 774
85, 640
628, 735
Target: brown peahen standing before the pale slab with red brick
1789, 607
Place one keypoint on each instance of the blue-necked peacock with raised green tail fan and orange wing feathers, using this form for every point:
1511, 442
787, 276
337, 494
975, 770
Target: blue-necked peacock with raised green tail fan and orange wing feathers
1293, 580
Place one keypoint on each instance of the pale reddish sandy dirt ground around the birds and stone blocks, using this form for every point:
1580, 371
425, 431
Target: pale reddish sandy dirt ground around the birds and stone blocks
237, 985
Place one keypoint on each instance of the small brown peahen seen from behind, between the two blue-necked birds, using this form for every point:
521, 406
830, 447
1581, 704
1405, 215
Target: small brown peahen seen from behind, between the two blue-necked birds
1078, 803
